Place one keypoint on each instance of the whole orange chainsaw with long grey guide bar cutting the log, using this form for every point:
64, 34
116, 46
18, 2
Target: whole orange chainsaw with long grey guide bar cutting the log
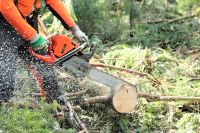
66, 53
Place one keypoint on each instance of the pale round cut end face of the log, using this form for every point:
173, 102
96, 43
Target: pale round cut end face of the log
125, 98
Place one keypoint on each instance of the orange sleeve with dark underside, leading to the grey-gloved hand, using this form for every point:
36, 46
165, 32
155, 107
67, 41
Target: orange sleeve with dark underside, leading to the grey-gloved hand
58, 9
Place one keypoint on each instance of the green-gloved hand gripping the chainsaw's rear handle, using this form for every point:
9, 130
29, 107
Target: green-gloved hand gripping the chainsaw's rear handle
39, 45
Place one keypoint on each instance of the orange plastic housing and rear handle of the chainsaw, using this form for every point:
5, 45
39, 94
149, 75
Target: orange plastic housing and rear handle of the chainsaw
59, 46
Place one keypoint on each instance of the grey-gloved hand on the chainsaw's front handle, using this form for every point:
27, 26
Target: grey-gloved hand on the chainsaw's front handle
79, 34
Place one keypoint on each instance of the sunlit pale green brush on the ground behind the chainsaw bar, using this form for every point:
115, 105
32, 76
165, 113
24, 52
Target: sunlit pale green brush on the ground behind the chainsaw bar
171, 72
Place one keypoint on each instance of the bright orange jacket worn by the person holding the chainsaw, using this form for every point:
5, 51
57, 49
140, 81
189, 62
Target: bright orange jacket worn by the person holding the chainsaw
15, 12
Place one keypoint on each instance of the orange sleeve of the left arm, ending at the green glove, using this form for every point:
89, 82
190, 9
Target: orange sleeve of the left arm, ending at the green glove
14, 18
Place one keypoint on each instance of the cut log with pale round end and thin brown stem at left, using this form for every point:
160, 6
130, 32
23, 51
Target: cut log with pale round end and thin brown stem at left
123, 98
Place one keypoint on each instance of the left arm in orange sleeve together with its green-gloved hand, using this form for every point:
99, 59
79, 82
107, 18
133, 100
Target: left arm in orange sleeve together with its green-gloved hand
13, 16
